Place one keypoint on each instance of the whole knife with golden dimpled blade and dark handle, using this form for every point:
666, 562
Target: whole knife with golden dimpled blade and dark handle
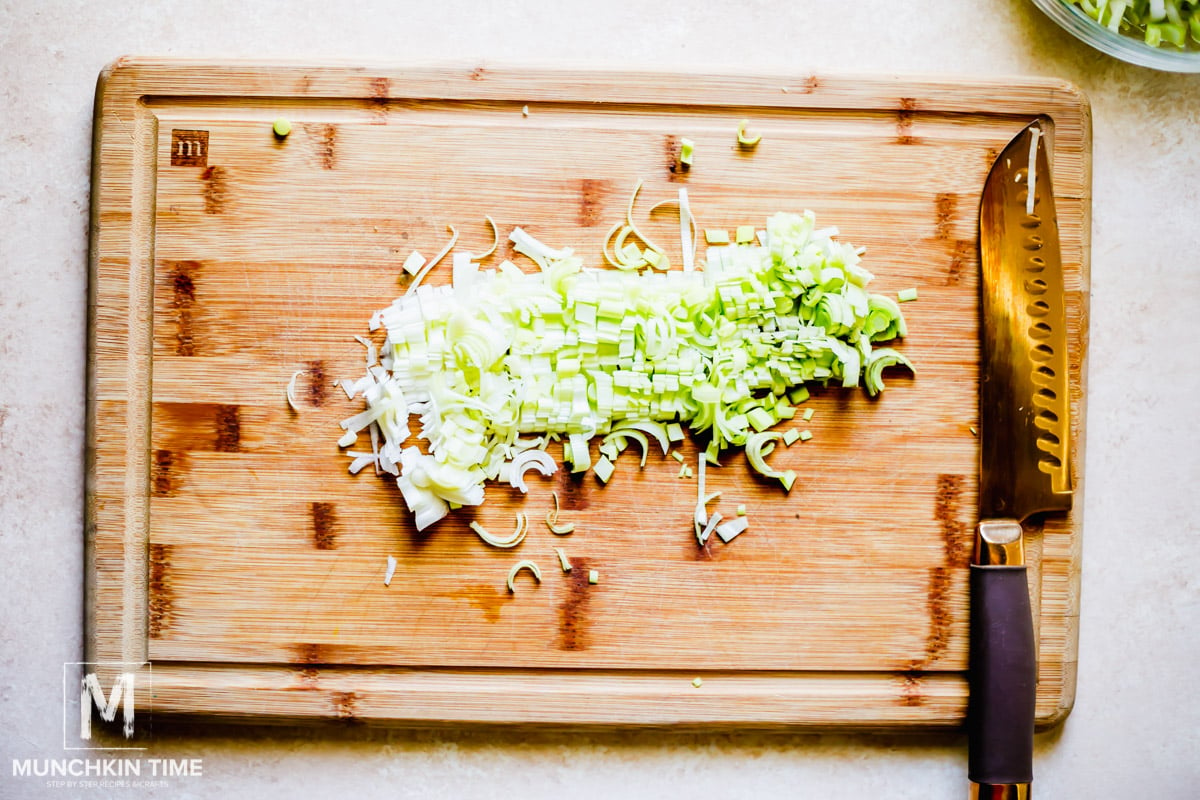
1024, 428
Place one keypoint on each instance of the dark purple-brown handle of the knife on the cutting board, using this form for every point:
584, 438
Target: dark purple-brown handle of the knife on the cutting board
1004, 682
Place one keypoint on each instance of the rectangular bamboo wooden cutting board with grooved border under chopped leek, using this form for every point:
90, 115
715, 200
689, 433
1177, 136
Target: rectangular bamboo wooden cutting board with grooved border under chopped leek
231, 549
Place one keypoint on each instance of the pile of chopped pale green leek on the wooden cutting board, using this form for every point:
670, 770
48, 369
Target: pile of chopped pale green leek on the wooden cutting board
502, 364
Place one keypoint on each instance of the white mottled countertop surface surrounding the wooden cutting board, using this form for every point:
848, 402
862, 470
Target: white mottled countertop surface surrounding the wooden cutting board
1135, 730
